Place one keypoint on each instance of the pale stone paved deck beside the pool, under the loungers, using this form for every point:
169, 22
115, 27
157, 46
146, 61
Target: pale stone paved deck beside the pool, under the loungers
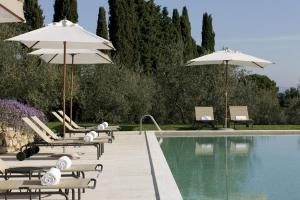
127, 170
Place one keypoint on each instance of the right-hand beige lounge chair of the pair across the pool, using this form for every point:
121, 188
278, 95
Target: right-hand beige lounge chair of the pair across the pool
239, 115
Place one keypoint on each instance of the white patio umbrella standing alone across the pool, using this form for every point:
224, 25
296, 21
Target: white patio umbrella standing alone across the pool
228, 57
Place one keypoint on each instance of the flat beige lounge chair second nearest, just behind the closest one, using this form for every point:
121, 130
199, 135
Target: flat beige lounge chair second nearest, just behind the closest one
75, 171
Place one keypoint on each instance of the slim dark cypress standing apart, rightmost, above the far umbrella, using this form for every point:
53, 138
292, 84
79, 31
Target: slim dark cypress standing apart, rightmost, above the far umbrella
208, 35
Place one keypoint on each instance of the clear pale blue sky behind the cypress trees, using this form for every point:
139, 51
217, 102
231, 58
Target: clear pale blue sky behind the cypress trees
266, 29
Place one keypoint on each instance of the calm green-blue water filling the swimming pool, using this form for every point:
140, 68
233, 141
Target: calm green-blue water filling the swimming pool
256, 168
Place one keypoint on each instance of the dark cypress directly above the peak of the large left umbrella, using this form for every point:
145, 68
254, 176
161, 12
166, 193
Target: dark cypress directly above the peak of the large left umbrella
65, 9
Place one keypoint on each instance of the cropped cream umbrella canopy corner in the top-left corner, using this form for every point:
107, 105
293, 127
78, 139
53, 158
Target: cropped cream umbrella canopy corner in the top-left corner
11, 11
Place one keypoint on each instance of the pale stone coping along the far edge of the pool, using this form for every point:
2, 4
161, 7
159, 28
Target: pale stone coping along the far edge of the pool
227, 133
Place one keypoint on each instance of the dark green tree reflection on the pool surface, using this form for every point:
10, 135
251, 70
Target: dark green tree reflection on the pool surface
211, 168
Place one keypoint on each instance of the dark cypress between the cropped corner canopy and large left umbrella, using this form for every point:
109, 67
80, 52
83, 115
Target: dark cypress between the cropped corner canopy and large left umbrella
33, 14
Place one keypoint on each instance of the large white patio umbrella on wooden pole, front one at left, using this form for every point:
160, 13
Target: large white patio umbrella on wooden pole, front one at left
63, 35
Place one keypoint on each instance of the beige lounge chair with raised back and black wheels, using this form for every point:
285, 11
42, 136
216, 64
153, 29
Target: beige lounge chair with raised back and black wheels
33, 148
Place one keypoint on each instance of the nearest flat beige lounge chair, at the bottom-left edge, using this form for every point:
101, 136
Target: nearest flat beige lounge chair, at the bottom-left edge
34, 187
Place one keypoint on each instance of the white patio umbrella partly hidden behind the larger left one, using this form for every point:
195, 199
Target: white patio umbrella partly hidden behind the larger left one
73, 57
